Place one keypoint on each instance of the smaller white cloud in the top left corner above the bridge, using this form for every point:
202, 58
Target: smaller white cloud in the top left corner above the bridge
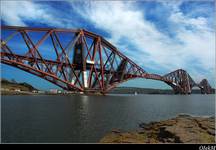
18, 12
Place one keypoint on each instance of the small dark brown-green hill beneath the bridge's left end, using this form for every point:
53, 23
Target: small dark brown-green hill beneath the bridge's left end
12, 85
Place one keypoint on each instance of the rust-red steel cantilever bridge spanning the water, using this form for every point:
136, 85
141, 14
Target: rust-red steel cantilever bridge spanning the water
79, 60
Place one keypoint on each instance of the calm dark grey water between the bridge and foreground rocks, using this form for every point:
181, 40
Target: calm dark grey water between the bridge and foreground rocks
88, 118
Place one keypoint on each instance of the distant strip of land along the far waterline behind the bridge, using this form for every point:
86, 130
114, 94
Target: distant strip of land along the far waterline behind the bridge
14, 88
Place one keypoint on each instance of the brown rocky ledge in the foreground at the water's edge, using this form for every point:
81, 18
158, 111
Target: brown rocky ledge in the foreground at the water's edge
182, 129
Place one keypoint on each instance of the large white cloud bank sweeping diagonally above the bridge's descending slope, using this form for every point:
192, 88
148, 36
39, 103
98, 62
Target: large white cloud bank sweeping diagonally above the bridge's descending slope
122, 20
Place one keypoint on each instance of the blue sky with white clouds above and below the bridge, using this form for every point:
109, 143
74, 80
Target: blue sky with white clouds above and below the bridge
161, 36
